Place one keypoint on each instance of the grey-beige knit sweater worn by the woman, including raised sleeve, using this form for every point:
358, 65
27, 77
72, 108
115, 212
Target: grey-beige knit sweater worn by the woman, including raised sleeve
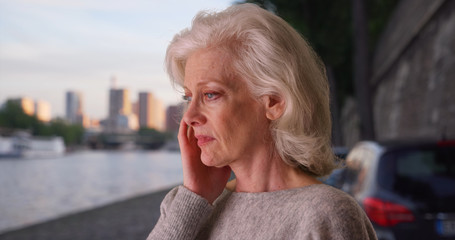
313, 212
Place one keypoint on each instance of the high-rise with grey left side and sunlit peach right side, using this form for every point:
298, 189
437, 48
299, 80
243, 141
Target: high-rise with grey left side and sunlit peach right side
151, 112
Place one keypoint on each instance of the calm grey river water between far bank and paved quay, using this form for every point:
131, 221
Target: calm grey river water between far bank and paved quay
35, 190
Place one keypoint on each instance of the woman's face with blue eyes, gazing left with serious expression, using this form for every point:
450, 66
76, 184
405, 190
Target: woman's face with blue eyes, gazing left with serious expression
228, 122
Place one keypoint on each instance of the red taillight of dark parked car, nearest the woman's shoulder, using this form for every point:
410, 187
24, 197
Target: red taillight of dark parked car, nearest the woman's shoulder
385, 213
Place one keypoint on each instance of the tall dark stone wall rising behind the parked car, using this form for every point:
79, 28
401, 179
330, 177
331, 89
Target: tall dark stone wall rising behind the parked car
414, 73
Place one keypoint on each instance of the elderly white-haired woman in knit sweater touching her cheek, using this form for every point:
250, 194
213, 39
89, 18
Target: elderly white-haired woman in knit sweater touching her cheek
257, 104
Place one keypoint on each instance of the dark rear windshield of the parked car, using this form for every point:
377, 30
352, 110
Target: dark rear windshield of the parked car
424, 173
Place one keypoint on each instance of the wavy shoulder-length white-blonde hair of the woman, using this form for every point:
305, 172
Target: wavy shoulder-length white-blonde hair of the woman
274, 60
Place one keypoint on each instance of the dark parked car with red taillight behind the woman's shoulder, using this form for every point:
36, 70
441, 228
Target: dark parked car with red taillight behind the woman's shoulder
406, 189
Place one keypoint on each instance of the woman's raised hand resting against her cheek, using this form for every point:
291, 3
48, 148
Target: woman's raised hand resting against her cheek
208, 182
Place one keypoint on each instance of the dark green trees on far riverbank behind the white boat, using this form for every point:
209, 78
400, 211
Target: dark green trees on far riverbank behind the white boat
12, 116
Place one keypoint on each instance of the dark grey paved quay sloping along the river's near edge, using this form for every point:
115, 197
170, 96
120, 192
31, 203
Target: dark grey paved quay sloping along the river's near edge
131, 219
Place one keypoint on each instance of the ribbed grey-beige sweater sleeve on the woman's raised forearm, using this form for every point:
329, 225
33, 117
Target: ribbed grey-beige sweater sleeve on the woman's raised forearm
182, 215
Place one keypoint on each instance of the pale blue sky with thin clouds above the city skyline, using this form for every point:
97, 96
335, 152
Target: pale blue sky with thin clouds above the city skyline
48, 47
